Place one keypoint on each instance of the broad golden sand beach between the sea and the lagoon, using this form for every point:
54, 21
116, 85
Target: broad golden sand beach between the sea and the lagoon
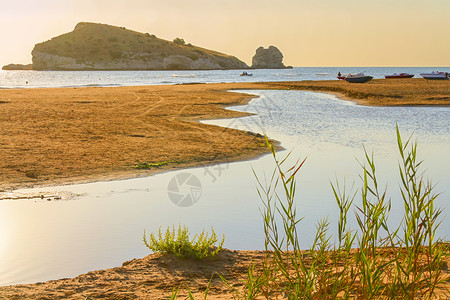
66, 135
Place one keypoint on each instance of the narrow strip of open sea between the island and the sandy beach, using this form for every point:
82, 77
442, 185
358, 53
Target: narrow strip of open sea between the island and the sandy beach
33, 79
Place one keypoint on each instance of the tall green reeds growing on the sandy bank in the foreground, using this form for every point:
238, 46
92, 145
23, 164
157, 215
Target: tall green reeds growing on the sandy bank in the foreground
404, 262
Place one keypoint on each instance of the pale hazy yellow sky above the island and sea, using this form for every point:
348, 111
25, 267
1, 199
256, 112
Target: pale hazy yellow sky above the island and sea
308, 32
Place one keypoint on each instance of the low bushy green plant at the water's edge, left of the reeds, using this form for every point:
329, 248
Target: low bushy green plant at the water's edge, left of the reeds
178, 242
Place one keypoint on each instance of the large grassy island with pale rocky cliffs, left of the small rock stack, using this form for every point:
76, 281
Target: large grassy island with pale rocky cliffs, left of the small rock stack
92, 46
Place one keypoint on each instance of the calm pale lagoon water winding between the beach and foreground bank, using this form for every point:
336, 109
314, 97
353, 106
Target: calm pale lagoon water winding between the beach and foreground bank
102, 225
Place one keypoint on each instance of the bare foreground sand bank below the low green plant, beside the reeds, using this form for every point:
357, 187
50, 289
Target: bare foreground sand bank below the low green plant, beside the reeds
155, 277
